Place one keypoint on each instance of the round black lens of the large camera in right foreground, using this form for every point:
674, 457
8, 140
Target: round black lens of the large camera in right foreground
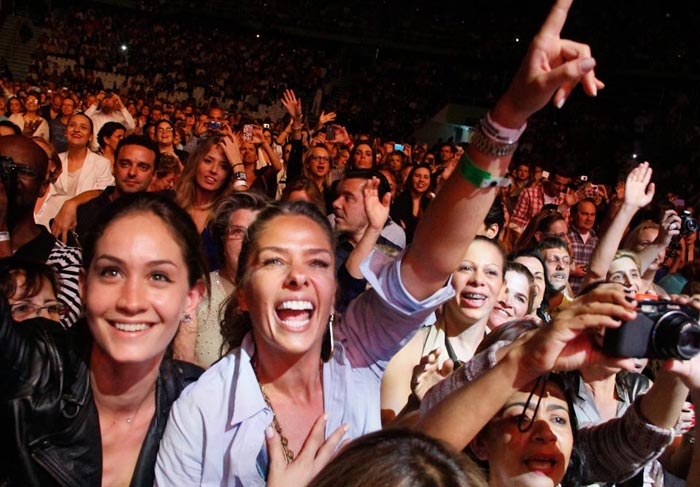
676, 335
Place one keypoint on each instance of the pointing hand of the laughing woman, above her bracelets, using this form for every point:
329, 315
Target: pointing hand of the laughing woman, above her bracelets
551, 70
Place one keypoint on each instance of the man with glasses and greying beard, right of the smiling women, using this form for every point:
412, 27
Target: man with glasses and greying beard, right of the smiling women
557, 265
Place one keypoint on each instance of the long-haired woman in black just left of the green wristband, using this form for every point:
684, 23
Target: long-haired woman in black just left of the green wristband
411, 203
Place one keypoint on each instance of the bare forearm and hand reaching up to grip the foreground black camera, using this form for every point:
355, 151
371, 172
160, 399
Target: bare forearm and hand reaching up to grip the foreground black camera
565, 343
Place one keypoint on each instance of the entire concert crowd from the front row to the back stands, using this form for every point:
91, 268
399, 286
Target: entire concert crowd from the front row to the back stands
260, 293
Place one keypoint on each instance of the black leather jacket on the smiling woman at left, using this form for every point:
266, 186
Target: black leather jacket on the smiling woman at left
48, 418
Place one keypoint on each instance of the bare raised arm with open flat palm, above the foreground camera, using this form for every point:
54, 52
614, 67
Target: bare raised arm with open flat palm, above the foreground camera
638, 193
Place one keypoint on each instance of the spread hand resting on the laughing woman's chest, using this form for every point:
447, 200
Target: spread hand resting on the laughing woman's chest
314, 455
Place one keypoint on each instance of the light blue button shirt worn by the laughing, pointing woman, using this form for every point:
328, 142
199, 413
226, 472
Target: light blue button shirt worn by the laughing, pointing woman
216, 431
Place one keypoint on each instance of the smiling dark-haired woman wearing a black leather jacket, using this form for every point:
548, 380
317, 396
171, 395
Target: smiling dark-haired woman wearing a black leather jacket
90, 405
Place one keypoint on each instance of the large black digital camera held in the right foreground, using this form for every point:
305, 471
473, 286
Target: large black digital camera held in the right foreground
662, 330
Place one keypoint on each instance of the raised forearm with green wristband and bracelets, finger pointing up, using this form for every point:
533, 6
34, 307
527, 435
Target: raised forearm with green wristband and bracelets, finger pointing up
550, 71
